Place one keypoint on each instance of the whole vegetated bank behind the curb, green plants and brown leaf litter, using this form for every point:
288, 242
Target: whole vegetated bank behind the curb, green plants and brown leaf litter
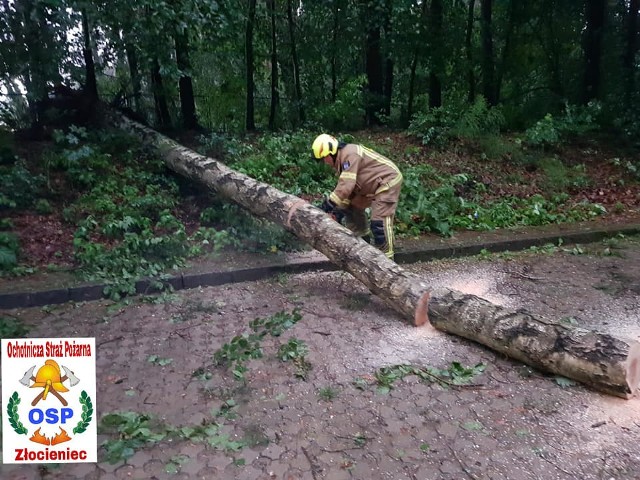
131, 218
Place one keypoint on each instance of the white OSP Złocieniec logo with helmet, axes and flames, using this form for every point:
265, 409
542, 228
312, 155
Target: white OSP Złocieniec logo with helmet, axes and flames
50, 407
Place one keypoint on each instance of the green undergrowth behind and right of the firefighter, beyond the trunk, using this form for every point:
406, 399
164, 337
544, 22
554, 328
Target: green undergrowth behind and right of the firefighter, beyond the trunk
431, 201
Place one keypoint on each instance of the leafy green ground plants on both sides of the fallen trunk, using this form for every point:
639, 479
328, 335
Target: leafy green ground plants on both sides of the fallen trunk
134, 219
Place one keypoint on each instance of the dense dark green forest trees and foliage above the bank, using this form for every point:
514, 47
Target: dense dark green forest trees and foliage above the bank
234, 65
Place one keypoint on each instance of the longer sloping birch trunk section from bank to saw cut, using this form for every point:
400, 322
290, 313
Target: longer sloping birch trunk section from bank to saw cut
403, 291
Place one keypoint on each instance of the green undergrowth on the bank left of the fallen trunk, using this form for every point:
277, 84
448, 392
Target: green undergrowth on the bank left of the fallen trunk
131, 215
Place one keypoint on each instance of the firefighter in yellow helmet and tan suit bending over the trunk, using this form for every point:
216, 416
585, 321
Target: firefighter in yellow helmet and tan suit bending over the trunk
365, 179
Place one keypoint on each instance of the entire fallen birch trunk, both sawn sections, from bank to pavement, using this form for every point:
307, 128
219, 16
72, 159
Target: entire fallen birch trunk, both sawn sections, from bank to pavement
599, 360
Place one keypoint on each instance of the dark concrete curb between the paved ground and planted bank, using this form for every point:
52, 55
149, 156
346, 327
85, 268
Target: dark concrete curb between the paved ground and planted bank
187, 281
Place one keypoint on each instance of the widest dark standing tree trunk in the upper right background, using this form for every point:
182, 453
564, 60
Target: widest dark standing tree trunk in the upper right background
592, 47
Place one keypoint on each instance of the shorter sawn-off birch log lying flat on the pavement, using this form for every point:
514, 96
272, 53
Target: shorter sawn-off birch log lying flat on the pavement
606, 363
